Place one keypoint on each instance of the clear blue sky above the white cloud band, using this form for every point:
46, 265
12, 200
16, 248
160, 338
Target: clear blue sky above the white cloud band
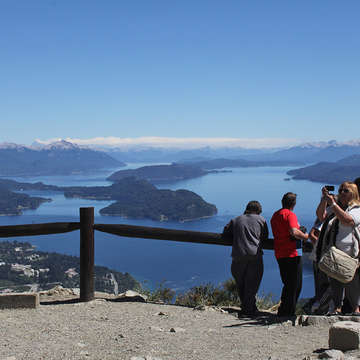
179, 68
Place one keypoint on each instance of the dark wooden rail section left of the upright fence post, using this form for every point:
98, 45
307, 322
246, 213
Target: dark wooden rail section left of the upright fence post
38, 229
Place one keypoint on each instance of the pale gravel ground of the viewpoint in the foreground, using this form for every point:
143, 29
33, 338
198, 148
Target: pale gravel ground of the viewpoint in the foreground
103, 329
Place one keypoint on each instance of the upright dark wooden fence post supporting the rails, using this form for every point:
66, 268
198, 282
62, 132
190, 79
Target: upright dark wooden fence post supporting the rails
87, 274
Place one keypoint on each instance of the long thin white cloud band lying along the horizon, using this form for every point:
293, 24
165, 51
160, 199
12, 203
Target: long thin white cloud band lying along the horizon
178, 143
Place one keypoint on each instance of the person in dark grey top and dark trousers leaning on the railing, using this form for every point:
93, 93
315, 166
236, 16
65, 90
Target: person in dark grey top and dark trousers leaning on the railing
247, 231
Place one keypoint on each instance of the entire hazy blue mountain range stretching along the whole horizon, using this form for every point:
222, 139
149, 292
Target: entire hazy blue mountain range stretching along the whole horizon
63, 157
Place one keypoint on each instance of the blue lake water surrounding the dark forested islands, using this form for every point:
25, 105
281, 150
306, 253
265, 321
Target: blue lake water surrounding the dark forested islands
180, 265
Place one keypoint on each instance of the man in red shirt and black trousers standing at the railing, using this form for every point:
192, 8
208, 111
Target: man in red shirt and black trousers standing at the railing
288, 250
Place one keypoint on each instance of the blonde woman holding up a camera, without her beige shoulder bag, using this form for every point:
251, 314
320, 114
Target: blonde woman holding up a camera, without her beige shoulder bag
342, 218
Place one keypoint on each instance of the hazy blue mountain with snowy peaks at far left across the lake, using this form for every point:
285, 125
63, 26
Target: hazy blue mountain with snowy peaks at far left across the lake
60, 158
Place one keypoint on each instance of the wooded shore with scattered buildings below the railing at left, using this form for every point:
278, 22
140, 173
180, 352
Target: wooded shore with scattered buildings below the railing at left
22, 268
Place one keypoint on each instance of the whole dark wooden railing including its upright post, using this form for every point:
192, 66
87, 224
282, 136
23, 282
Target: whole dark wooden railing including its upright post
87, 227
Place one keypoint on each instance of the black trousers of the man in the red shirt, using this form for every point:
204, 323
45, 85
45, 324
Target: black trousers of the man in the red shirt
291, 276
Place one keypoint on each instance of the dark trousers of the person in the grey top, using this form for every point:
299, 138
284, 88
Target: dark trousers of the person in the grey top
247, 272
